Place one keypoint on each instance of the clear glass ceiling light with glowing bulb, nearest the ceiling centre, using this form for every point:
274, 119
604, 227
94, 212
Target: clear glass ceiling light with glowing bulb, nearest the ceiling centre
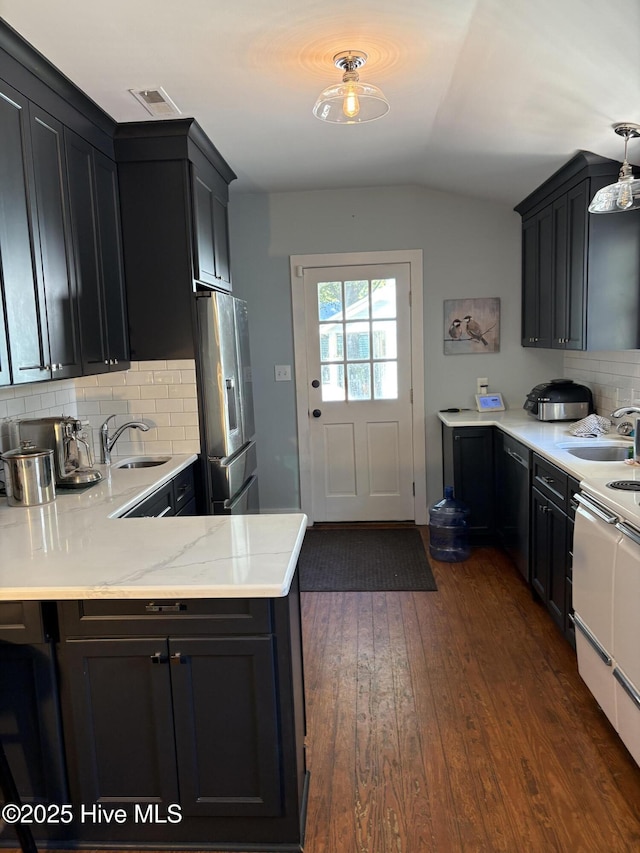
352, 101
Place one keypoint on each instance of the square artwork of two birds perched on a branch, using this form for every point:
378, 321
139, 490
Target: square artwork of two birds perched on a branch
471, 326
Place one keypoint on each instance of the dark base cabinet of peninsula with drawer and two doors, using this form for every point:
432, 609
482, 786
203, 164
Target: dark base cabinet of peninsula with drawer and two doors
196, 733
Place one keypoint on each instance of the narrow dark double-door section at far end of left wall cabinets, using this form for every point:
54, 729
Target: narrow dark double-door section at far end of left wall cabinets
95, 225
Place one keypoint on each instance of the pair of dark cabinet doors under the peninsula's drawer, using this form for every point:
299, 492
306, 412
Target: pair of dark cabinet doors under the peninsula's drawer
198, 727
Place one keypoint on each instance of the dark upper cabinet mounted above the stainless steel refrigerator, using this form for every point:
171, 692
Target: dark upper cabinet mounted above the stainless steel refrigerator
174, 194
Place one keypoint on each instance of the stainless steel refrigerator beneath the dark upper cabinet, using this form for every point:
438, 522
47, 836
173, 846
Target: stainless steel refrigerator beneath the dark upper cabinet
227, 426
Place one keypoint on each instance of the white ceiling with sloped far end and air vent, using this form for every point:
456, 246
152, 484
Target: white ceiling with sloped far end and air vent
488, 97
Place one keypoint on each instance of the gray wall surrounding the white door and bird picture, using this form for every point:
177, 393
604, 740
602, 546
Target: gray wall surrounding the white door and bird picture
471, 249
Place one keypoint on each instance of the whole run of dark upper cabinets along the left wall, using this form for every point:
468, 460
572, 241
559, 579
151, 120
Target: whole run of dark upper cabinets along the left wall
47, 258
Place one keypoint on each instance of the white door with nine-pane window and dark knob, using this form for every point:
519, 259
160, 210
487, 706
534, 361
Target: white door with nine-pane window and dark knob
358, 340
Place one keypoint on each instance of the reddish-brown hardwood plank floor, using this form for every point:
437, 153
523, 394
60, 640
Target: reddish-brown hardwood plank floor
457, 721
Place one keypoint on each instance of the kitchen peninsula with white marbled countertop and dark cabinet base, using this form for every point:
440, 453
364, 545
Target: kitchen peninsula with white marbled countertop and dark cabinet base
154, 665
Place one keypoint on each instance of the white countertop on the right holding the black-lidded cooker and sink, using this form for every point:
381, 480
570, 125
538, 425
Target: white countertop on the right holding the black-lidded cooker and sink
549, 439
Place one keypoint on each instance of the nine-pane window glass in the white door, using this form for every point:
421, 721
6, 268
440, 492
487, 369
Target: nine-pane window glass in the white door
358, 339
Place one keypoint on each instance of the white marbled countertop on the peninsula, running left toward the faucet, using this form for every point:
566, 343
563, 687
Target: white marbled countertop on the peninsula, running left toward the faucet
78, 546
